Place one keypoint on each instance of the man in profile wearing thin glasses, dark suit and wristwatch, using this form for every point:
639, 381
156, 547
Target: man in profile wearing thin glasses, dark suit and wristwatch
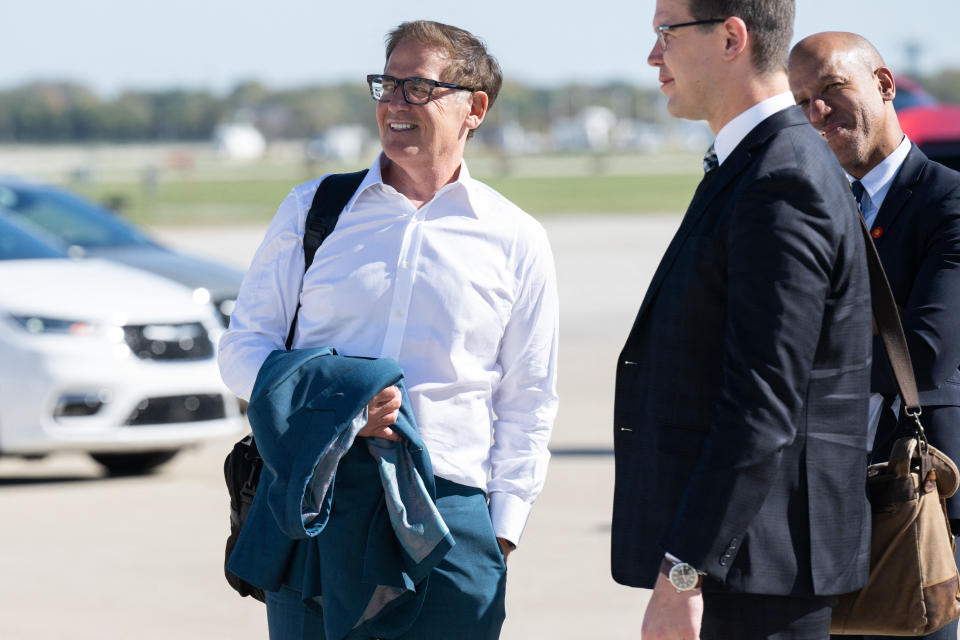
741, 400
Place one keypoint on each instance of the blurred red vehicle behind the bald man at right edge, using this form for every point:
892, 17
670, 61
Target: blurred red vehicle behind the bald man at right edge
931, 125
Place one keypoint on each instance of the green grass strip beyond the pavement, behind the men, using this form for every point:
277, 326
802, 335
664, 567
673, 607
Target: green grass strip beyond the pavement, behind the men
254, 201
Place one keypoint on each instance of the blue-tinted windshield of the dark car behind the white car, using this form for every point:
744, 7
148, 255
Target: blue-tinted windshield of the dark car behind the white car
69, 218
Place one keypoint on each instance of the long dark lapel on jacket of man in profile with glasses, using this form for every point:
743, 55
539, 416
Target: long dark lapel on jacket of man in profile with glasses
711, 185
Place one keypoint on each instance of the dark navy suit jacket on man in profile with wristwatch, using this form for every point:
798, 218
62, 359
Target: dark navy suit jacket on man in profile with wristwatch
741, 399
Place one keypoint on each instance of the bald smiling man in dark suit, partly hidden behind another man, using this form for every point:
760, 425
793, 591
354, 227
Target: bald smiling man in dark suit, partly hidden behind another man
912, 206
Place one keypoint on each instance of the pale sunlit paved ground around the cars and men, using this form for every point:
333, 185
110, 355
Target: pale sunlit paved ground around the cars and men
86, 557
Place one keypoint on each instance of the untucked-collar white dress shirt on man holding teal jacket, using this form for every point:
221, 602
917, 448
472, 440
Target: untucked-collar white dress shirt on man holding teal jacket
460, 292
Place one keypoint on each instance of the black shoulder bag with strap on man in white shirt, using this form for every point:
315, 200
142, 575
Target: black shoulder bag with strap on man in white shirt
243, 464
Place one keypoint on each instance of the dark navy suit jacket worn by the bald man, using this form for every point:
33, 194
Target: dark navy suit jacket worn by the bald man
917, 234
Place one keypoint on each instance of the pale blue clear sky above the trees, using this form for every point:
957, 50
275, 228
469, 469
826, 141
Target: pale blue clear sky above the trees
115, 44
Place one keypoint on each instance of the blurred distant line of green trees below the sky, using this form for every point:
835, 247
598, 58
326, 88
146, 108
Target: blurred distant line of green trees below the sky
65, 112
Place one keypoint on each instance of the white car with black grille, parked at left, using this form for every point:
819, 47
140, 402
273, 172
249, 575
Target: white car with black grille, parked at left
102, 358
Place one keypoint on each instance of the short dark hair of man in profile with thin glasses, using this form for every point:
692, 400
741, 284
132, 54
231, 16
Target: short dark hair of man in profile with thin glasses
769, 22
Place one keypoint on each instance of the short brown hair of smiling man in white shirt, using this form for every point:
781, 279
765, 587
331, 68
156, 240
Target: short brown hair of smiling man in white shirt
470, 63
